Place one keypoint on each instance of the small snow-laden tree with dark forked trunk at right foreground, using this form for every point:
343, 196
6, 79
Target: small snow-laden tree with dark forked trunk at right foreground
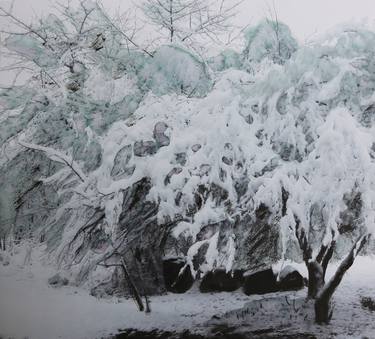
340, 165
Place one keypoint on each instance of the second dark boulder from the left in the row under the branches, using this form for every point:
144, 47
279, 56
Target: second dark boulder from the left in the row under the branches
221, 281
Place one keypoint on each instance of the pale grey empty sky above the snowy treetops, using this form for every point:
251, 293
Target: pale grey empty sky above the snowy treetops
304, 17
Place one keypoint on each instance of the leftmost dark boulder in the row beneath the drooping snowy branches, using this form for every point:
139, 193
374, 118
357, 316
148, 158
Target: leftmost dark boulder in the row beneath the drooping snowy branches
175, 282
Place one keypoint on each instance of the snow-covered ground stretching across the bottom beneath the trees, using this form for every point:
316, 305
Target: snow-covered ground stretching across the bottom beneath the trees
30, 308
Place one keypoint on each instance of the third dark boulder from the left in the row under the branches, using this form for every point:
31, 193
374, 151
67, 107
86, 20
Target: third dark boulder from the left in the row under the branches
260, 282
